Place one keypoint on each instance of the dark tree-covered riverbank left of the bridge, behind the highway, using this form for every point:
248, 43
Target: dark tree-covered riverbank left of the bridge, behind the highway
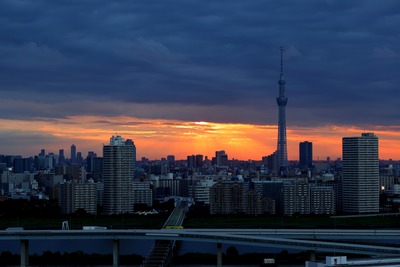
44, 214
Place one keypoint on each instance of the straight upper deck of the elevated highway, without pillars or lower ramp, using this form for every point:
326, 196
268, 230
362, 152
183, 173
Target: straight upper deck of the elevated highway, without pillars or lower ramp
200, 234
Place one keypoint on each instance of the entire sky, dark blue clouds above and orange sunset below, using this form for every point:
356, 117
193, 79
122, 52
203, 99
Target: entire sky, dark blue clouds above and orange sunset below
189, 77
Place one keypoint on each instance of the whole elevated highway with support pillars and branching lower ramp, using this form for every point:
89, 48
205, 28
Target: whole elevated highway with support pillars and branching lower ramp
319, 240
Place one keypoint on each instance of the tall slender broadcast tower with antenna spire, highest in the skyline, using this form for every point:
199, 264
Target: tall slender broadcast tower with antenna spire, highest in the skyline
282, 101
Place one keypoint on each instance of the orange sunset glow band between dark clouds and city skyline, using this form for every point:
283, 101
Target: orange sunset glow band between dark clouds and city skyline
155, 139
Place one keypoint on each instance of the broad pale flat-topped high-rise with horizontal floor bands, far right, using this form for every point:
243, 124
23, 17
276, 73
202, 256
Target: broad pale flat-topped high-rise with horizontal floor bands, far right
360, 182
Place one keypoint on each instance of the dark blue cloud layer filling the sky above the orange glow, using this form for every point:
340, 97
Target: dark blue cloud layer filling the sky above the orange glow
219, 61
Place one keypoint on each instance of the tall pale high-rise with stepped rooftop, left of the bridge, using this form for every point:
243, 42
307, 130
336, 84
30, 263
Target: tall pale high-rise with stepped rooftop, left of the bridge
118, 171
